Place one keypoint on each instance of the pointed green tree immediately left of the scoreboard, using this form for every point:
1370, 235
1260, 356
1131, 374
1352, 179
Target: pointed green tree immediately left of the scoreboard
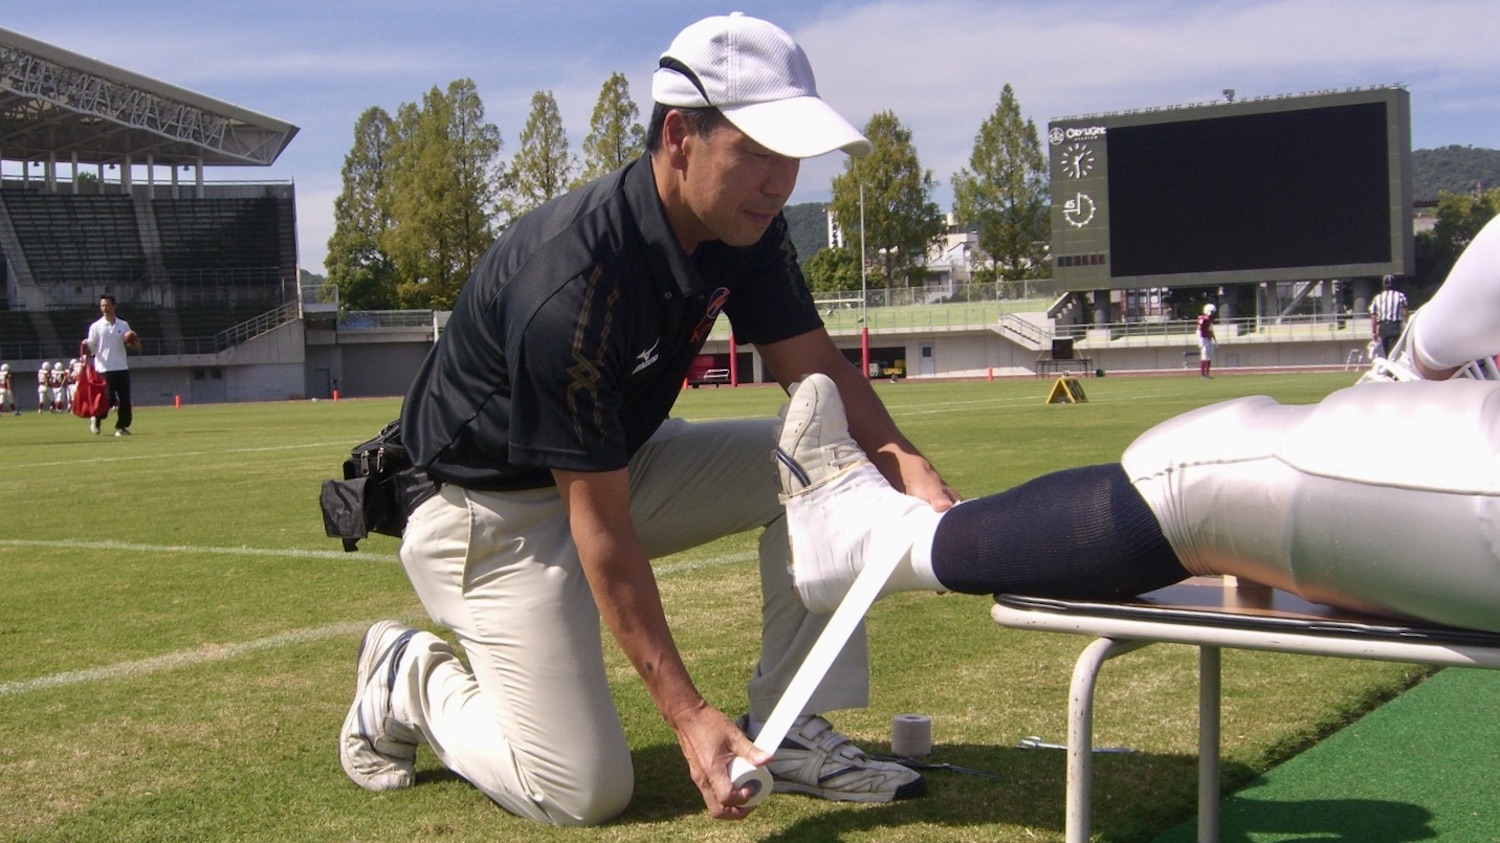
1003, 194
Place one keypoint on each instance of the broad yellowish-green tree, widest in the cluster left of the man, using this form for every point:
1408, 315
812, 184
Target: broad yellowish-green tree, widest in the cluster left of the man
442, 191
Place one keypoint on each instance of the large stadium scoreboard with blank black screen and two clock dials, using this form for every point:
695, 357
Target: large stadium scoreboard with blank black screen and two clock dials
1274, 188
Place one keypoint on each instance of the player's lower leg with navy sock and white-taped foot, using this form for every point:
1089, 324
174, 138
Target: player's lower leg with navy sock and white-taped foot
1081, 533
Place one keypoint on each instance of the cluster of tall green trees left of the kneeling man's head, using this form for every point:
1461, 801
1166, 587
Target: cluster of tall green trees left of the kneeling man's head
425, 191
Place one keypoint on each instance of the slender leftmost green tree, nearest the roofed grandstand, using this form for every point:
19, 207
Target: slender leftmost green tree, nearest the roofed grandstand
364, 274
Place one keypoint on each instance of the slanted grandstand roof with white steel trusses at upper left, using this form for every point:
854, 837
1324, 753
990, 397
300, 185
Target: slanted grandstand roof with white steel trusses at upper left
55, 103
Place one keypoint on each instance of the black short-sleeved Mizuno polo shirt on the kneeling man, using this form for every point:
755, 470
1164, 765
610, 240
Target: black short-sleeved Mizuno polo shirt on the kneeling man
571, 341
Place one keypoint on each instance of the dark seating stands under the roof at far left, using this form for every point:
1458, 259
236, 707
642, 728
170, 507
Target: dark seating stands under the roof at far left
194, 269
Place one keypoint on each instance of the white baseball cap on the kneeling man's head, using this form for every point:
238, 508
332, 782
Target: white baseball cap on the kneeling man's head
760, 80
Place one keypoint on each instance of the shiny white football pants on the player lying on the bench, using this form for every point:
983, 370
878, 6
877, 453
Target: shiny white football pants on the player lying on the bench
1384, 497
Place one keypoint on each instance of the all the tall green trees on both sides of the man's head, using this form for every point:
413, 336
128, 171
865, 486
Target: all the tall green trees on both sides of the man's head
425, 191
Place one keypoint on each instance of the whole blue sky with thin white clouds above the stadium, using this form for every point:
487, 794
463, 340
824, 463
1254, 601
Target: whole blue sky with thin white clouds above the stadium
940, 65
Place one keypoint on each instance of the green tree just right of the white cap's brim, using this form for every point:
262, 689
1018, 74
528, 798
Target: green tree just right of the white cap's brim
901, 220
